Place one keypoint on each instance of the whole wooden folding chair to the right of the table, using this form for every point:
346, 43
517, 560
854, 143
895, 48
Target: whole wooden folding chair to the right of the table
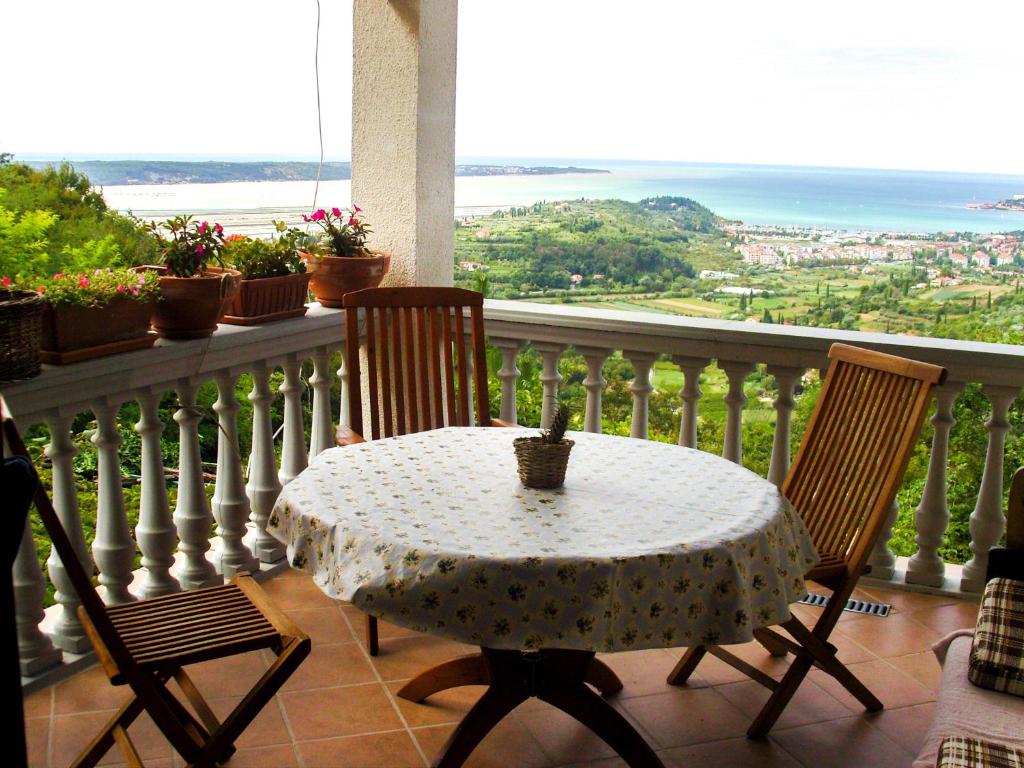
843, 483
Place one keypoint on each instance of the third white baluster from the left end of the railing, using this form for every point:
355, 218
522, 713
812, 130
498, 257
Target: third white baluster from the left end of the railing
113, 549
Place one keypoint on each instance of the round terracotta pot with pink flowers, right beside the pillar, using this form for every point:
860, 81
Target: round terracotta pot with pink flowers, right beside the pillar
339, 262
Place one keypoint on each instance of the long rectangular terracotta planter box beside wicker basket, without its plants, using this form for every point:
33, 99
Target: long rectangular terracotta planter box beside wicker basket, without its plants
72, 333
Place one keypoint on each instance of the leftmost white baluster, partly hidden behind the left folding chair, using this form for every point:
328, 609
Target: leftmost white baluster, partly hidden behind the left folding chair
35, 651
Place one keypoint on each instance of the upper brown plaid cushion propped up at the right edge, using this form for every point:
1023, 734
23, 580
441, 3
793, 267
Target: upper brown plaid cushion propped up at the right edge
998, 654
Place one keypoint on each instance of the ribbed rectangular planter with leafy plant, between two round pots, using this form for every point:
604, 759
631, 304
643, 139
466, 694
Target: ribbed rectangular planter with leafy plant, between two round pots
275, 283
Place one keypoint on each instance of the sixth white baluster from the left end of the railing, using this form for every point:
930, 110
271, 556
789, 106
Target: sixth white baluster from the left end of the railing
230, 504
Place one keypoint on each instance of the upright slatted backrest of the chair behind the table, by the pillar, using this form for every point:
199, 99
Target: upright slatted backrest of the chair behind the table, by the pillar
418, 369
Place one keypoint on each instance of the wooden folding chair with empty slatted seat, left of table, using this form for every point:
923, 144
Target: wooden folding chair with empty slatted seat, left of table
146, 645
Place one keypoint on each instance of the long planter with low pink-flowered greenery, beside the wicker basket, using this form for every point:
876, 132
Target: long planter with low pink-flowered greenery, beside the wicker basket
97, 314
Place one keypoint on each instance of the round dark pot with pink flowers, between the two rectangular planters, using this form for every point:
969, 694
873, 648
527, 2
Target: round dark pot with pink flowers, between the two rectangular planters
193, 294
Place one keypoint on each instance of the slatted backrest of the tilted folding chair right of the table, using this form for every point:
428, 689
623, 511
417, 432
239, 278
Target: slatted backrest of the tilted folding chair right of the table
859, 442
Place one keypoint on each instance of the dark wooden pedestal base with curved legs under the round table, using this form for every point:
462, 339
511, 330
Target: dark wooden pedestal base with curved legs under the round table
557, 676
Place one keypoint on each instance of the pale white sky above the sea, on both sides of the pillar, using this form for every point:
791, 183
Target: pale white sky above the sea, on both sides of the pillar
898, 84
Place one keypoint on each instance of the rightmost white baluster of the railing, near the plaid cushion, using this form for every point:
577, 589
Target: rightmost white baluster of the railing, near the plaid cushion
988, 521
